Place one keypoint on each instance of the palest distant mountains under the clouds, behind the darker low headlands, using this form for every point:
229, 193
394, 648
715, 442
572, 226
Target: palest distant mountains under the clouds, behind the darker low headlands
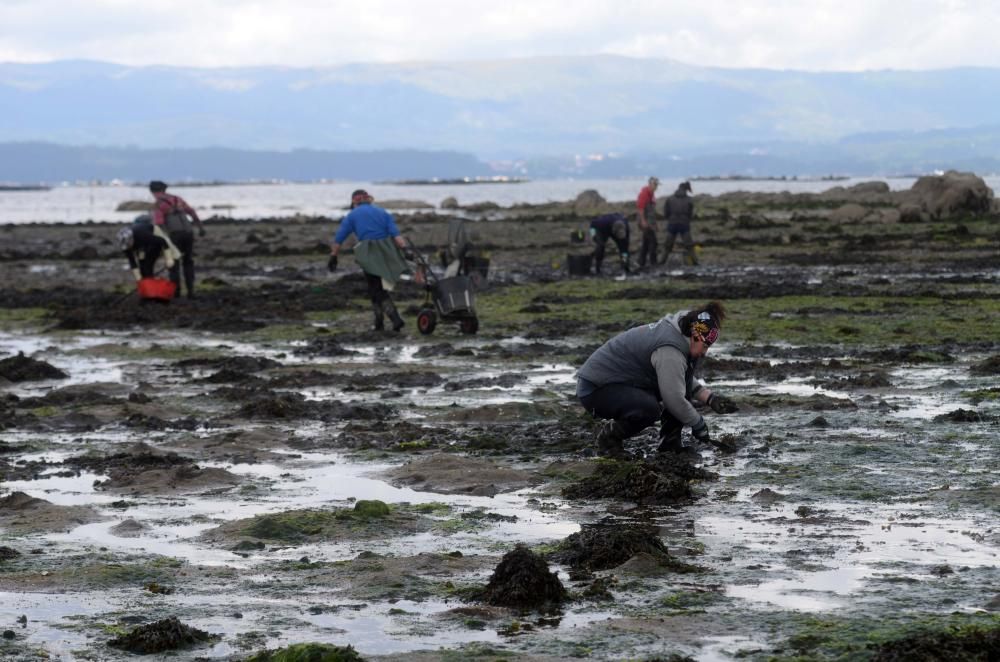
494, 109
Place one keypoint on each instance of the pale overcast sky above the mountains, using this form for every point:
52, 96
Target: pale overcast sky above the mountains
846, 35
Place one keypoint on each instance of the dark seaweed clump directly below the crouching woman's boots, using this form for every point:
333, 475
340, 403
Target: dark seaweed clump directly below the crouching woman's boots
659, 480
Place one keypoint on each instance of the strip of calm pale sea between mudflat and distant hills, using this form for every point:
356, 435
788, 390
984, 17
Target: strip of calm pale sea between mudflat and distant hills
78, 204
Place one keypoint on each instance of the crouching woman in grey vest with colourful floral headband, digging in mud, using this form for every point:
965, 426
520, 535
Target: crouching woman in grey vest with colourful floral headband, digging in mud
627, 378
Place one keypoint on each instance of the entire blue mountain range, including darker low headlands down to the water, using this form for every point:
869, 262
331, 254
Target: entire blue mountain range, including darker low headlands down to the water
599, 115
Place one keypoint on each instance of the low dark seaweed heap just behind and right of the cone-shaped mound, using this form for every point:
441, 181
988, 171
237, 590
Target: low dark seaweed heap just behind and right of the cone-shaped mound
606, 545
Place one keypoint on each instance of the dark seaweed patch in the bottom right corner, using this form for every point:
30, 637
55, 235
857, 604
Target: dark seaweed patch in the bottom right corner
970, 643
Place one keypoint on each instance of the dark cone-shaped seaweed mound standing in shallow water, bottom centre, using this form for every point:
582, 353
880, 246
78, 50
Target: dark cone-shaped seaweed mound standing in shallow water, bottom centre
522, 580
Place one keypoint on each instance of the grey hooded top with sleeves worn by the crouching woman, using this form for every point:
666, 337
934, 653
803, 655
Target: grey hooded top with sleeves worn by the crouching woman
653, 357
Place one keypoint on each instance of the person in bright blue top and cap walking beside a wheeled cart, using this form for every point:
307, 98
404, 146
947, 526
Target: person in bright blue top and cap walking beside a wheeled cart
379, 252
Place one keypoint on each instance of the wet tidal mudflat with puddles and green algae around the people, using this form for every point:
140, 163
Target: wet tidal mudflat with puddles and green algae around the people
253, 470
